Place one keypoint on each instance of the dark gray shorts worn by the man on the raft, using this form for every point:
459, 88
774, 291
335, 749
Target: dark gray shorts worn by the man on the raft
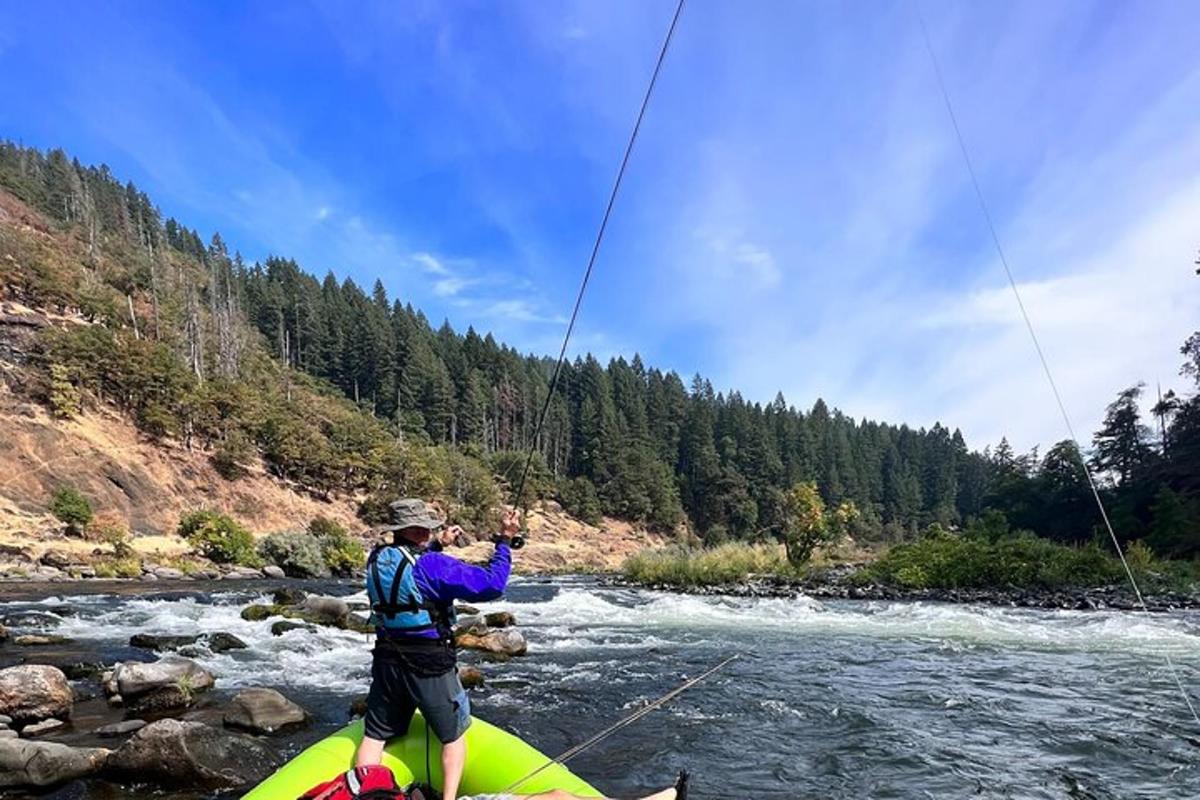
397, 694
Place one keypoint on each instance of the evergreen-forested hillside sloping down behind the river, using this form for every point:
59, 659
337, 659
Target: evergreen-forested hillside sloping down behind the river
346, 390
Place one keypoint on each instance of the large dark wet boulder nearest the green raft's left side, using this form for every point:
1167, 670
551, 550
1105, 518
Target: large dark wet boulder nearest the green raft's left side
193, 754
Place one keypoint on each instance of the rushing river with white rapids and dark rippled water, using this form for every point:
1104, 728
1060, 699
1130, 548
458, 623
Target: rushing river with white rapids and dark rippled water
830, 700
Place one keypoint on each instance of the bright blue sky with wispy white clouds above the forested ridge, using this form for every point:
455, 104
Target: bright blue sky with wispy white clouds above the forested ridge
796, 218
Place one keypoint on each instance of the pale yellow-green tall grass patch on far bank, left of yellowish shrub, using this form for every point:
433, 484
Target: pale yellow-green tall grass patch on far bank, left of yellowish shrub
725, 564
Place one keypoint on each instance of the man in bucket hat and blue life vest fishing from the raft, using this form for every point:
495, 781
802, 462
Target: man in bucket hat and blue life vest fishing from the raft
412, 591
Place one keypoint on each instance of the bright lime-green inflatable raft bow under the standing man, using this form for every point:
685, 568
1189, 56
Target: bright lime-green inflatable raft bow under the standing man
496, 760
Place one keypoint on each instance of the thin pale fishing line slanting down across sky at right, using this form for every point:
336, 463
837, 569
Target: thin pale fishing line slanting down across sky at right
1037, 345
